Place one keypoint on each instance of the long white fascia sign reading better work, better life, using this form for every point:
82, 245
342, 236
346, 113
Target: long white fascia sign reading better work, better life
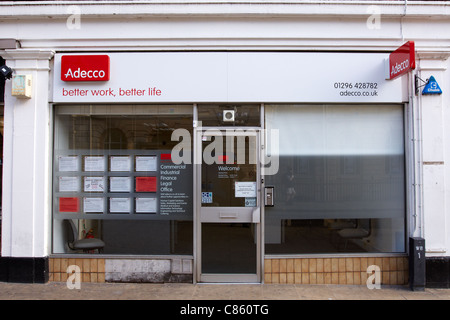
223, 77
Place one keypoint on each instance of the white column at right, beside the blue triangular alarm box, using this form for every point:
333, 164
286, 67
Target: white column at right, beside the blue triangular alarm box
434, 113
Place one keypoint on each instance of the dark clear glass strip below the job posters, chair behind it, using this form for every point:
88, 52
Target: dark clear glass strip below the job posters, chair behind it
125, 237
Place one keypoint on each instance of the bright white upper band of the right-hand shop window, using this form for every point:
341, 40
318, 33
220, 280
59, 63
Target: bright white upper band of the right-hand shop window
337, 130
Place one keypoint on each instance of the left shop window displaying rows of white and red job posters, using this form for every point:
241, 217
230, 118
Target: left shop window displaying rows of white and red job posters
115, 187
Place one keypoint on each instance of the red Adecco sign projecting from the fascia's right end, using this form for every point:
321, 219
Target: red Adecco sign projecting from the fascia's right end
402, 60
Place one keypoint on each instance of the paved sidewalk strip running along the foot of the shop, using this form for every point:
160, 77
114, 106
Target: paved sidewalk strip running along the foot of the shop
212, 292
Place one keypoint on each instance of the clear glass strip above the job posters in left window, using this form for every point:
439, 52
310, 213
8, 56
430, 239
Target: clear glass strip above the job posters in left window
113, 132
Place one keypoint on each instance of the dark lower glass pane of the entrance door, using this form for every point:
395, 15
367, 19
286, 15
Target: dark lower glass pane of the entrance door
228, 248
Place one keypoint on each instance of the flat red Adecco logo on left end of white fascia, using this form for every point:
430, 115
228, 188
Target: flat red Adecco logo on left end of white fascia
85, 68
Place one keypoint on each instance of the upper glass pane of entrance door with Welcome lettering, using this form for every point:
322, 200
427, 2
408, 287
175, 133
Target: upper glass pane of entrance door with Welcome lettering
229, 171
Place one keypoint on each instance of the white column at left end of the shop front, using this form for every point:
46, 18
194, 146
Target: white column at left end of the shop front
26, 211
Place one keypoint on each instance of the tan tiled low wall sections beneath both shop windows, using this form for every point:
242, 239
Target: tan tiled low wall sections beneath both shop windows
348, 271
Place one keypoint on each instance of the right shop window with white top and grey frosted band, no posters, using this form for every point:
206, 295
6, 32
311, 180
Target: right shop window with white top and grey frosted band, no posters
341, 182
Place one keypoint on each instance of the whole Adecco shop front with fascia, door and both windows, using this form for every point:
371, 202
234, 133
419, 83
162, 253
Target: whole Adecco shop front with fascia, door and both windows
229, 167
